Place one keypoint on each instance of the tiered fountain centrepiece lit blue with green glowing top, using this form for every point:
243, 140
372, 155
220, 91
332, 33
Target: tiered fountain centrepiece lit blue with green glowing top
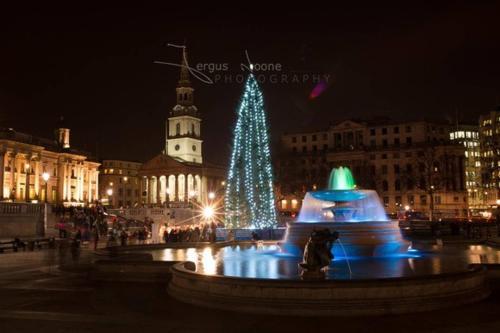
357, 215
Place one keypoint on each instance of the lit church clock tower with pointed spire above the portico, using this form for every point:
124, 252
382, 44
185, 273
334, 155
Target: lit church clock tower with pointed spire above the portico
183, 127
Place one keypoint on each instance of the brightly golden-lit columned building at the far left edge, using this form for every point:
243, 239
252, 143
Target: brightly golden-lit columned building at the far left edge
38, 169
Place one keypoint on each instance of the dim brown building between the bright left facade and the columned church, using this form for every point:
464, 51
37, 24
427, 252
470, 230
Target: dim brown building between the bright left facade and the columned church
119, 183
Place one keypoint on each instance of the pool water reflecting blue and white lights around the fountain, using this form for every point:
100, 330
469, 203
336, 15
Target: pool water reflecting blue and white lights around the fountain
268, 262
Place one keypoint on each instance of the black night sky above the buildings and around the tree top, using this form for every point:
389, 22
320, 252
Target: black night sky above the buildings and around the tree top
95, 67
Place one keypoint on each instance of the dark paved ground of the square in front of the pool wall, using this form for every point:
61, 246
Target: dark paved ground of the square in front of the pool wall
37, 296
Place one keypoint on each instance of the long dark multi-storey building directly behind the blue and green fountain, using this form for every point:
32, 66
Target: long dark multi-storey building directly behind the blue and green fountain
412, 165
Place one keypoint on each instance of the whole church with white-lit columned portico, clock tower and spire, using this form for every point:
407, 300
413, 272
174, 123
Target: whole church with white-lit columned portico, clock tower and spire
180, 174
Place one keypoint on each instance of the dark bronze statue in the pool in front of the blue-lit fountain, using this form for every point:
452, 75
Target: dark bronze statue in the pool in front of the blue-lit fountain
317, 252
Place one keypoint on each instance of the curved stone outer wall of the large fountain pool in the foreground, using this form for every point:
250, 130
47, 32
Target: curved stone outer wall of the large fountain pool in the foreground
328, 297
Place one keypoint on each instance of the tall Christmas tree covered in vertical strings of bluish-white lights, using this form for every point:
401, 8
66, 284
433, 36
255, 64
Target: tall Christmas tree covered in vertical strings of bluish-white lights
249, 200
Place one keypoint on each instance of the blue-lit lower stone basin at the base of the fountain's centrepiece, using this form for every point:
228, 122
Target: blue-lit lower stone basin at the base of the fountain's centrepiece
359, 239
